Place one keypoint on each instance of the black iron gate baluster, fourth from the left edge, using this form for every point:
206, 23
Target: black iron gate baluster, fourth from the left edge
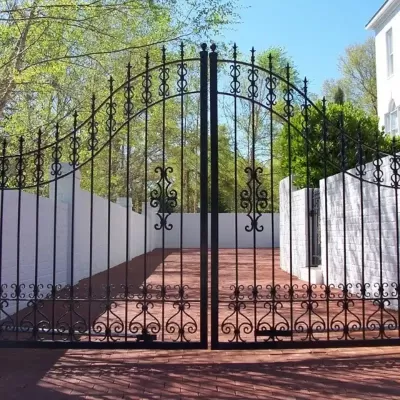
55, 172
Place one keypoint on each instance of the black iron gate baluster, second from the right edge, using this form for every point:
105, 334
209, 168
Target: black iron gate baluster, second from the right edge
378, 177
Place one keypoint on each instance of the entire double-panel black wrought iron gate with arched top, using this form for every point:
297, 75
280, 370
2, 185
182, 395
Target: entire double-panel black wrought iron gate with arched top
104, 233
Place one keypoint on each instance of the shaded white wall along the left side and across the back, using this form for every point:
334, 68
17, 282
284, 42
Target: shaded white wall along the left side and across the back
81, 245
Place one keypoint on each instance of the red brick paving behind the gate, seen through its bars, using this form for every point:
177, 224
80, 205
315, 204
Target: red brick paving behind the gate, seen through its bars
164, 318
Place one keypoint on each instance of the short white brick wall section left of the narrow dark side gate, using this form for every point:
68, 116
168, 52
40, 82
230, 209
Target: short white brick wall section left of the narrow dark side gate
299, 227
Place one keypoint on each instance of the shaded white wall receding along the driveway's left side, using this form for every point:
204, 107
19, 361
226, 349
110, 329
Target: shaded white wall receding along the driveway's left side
81, 245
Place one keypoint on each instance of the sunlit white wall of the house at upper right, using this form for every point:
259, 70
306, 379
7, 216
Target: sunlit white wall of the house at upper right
388, 87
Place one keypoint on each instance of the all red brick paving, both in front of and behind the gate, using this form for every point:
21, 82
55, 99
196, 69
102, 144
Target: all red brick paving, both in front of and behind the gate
291, 374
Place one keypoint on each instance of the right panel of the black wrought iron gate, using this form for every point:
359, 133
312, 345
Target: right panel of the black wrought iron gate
290, 276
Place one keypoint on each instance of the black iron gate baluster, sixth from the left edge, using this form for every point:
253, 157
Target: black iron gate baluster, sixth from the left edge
92, 146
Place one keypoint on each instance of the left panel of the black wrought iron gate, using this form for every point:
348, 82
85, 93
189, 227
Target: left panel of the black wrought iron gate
101, 239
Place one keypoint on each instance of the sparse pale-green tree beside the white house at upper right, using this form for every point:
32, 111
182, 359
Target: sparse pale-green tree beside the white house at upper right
357, 67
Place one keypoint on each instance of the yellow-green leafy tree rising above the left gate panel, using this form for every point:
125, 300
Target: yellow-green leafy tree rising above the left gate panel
56, 53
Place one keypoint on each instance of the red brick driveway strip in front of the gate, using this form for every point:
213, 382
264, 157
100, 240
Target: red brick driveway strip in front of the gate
108, 375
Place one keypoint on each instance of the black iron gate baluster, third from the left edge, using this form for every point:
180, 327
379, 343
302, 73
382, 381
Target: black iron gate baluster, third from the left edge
38, 181
